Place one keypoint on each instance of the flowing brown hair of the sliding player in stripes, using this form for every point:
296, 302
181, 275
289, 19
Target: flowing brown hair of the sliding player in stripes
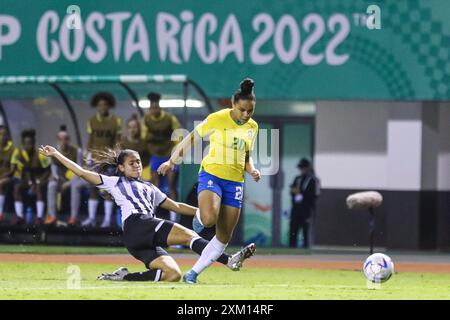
107, 161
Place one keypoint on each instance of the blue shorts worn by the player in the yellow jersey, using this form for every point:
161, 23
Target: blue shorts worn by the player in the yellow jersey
231, 192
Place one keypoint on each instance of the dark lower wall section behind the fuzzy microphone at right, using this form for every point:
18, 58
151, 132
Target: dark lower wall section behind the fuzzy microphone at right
406, 220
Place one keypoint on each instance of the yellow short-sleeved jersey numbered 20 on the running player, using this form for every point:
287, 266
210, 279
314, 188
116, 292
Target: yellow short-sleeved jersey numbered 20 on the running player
229, 143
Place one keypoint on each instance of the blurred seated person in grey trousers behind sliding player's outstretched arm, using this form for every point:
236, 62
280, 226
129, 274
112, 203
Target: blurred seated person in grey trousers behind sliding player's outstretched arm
61, 178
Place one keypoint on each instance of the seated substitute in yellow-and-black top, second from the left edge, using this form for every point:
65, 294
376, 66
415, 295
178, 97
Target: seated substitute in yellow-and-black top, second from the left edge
33, 171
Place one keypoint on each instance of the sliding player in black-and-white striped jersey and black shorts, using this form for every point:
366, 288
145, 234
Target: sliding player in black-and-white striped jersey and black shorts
143, 235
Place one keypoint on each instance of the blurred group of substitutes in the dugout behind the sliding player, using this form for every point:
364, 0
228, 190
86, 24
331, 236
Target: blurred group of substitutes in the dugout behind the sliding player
43, 192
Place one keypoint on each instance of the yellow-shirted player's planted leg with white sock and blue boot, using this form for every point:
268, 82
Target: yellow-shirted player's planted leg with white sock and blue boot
226, 223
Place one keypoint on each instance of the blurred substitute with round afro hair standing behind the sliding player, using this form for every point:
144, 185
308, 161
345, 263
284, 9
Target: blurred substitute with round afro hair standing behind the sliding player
104, 131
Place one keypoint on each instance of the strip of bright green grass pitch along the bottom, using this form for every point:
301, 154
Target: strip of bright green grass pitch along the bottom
49, 281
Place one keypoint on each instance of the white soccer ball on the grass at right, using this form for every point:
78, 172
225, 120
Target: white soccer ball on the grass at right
378, 268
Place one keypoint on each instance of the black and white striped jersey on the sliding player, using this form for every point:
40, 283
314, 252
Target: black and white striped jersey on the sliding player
132, 195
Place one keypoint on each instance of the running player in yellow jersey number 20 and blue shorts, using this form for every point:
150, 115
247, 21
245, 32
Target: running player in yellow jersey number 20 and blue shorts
232, 135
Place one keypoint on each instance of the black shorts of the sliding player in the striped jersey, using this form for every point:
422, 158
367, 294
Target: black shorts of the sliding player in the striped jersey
144, 236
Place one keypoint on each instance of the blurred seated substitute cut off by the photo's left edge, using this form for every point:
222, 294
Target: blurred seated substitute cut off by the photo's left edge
7, 151
